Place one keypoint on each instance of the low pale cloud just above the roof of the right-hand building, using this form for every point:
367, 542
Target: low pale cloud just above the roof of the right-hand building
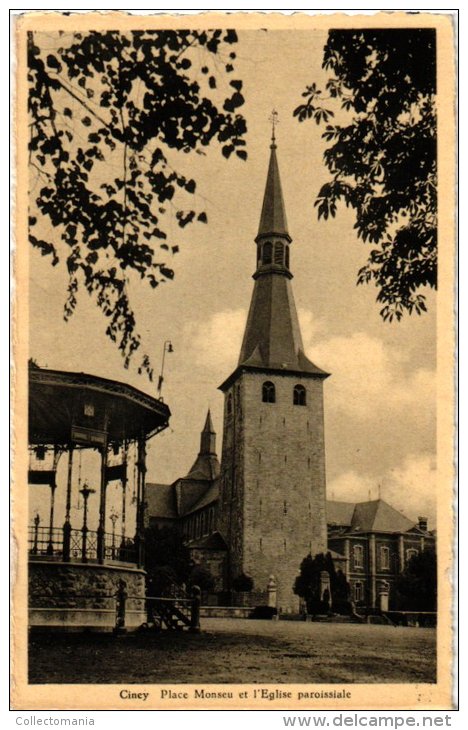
409, 487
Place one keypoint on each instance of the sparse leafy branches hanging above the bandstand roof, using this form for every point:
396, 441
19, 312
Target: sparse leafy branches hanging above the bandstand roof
101, 192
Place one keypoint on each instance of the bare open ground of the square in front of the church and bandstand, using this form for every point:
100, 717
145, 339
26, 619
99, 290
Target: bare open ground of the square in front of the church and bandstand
239, 651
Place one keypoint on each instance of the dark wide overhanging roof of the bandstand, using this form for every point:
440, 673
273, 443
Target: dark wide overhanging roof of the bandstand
66, 407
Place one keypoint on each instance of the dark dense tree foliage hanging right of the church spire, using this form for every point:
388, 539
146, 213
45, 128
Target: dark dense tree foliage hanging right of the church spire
383, 161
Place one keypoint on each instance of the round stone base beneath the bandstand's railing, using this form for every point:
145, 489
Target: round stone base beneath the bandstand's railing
82, 596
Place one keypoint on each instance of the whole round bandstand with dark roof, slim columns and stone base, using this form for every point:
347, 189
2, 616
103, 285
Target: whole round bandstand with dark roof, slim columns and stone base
76, 573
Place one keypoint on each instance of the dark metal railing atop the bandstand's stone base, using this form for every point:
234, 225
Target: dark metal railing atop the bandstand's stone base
81, 545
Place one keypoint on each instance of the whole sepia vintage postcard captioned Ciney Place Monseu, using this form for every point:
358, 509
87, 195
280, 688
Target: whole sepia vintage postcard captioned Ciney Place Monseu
234, 361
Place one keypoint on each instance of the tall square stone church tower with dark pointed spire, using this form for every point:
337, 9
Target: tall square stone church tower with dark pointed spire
272, 497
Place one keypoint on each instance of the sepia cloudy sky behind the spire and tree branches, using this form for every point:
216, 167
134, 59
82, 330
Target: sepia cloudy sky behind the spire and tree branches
380, 400
